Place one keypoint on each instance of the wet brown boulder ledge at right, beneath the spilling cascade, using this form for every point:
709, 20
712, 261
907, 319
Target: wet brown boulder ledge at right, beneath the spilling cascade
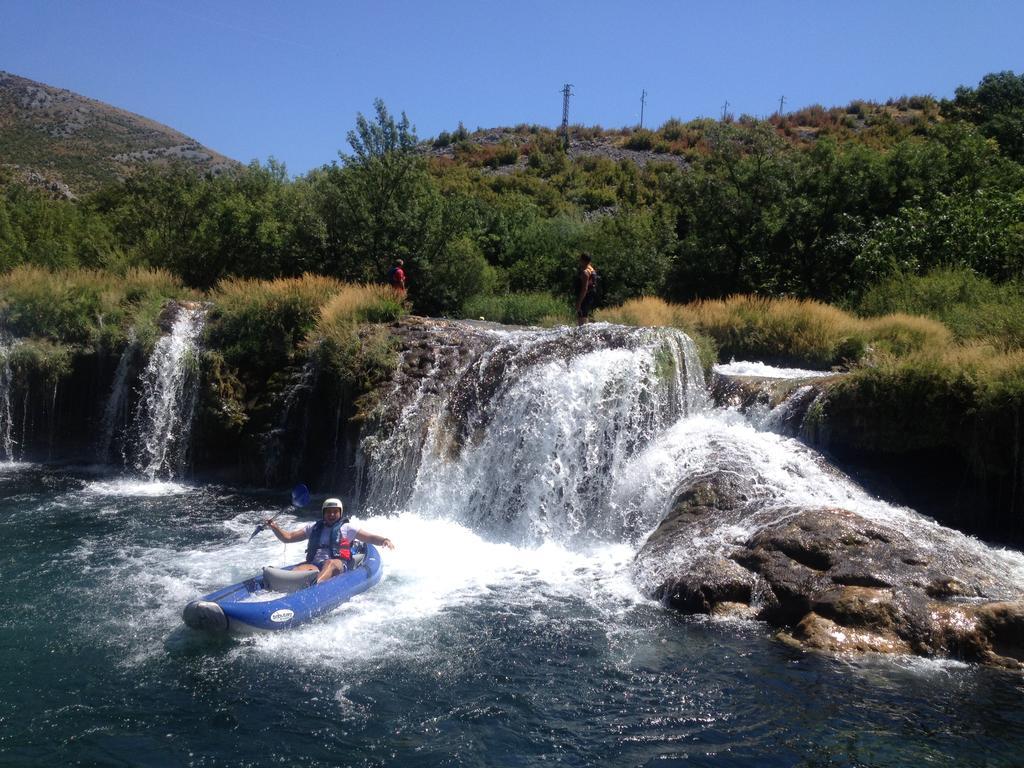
832, 580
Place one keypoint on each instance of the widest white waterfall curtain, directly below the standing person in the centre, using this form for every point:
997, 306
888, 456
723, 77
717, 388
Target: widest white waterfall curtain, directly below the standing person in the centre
526, 439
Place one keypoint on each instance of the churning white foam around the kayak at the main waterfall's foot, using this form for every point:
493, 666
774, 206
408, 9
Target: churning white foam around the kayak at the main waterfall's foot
437, 567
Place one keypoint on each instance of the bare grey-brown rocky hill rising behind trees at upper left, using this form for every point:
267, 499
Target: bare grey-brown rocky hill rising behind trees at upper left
55, 138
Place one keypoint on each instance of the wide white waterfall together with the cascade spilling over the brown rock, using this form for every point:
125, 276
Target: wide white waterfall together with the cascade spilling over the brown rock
582, 438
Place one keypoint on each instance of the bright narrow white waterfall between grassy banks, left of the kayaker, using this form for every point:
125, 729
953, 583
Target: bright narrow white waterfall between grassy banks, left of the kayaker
167, 402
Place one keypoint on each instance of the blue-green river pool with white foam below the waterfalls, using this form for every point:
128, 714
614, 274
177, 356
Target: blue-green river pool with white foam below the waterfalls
468, 654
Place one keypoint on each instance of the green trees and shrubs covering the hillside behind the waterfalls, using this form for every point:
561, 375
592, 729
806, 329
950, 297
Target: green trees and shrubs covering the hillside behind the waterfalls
823, 204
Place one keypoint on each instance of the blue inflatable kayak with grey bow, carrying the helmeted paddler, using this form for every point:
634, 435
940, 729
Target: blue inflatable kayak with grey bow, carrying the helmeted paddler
281, 599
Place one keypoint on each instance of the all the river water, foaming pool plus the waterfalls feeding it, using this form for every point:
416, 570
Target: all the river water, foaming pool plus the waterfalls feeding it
507, 630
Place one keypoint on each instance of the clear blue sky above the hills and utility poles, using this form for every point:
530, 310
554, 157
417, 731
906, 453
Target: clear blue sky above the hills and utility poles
255, 78
